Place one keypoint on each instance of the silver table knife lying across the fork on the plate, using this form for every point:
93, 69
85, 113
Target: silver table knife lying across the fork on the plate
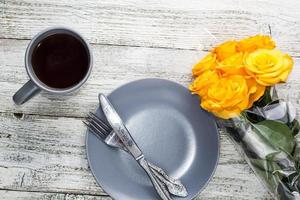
122, 132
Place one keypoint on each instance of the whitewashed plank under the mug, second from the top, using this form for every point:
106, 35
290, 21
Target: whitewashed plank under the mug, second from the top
113, 66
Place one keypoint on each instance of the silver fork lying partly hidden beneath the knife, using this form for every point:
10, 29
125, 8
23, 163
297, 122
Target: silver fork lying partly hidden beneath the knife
109, 137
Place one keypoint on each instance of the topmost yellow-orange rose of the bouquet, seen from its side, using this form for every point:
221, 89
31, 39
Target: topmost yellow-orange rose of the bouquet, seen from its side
255, 42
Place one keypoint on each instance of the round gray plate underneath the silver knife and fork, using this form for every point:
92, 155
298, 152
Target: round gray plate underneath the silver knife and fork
172, 131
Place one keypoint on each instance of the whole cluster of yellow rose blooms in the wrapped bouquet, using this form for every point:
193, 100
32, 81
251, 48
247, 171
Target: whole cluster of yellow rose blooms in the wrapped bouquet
235, 74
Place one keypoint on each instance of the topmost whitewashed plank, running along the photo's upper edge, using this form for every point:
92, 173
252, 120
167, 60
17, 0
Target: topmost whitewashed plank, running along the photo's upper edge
167, 24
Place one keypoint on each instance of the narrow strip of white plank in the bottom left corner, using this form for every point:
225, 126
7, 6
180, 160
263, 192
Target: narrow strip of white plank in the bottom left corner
21, 195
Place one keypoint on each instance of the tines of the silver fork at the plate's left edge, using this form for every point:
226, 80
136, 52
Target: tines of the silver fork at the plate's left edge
97, 126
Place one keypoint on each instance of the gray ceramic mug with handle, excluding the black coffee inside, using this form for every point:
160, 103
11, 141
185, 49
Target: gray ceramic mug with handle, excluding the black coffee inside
35, 85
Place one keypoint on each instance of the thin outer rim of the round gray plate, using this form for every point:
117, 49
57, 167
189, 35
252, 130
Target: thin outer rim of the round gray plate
214, 124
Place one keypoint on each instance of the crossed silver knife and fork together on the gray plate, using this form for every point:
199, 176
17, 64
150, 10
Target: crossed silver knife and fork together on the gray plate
110, 135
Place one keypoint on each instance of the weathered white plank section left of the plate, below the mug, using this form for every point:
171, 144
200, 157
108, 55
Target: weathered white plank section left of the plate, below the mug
45, 155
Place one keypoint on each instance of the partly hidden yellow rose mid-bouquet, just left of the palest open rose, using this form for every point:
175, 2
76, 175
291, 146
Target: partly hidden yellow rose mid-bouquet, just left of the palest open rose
233, 65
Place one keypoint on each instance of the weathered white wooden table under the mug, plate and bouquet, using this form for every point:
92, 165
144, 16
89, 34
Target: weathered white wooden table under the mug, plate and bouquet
42, 149
